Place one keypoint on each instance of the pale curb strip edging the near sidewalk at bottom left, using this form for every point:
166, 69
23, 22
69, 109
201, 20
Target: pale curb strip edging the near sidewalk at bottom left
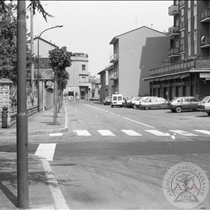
60, 202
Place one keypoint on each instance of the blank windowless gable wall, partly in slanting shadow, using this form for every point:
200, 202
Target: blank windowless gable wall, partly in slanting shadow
135, 58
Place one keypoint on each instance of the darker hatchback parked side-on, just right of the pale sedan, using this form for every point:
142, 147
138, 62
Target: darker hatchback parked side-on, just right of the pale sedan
183, 103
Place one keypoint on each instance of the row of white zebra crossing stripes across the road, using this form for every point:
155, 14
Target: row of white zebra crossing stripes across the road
132, 133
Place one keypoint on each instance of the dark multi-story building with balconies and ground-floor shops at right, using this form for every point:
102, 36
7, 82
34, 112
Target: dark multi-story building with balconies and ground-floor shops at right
188, 70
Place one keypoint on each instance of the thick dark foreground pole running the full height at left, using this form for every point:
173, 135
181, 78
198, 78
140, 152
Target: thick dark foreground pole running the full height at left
22, 121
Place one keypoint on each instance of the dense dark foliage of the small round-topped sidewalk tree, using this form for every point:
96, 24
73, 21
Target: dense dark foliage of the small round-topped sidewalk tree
60, 58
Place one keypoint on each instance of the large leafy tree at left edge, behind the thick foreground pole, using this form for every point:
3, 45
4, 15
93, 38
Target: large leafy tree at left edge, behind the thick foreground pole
8, 43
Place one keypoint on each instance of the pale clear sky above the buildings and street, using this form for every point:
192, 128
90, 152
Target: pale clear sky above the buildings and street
89, 26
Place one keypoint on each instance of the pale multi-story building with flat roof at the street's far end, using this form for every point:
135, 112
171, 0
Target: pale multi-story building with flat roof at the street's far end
78, 84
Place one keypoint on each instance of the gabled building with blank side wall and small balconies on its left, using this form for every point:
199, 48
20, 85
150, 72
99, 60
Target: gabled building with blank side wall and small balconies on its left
134, 53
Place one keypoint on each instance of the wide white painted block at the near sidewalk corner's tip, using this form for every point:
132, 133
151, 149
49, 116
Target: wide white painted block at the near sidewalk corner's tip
46, 150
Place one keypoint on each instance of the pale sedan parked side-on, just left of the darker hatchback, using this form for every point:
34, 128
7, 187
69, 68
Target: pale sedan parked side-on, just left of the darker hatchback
154, 103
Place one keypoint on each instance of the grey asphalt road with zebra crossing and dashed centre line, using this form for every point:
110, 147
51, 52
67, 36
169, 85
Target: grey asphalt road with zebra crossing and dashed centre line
116, 158
